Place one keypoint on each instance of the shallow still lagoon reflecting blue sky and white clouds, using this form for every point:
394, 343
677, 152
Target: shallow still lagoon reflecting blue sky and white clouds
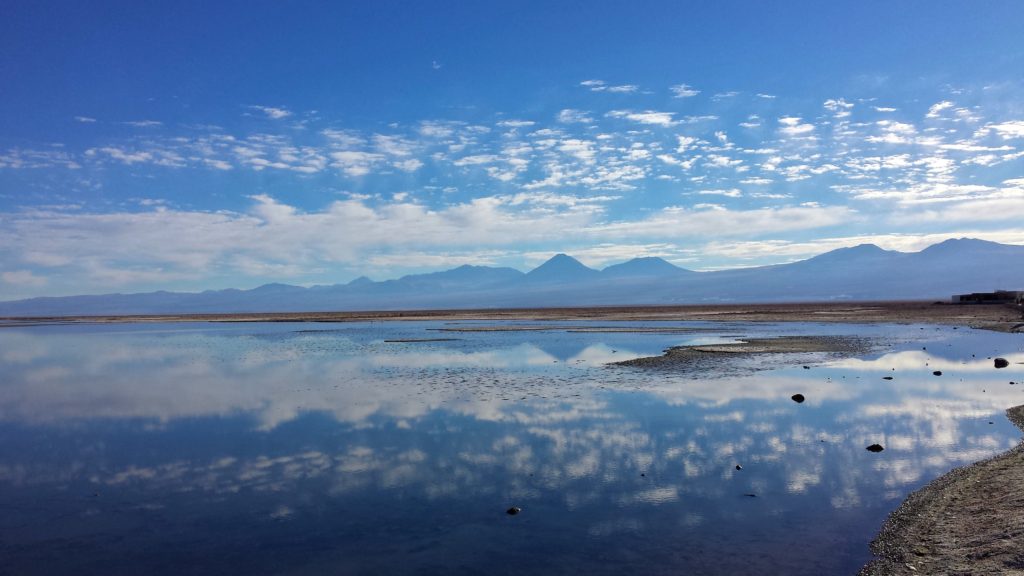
315, 448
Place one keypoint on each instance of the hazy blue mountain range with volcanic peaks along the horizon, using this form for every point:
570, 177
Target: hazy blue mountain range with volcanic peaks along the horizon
861, 273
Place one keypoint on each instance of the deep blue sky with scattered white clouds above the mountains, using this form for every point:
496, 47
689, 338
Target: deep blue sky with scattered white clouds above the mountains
196, 145
